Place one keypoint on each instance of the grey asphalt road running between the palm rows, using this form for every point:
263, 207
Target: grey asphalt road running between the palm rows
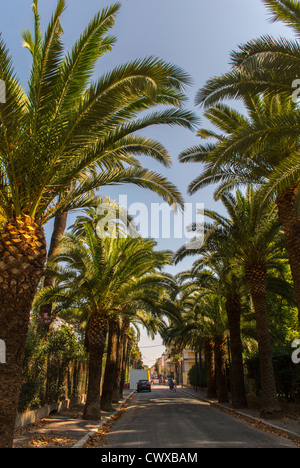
165, 419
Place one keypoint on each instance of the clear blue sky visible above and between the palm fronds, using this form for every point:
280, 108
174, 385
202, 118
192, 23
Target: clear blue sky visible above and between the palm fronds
197, 35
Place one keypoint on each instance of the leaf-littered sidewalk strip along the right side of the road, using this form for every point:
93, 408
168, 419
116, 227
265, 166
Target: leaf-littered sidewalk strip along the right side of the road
288, 424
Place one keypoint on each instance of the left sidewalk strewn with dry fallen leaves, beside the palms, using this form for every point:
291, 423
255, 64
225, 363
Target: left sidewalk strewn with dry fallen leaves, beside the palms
64, 430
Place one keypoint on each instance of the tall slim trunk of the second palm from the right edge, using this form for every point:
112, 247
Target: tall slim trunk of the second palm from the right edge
257, 279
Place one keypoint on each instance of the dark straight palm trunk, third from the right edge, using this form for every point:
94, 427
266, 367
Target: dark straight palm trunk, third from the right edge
238, 391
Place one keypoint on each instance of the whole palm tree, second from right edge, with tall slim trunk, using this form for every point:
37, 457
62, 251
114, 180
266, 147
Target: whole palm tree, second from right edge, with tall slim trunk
254, 232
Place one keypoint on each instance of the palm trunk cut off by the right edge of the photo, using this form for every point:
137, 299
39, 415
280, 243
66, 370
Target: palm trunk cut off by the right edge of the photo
291, 226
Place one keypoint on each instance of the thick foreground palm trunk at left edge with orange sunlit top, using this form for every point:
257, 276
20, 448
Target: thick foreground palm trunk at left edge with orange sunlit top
23, 255
